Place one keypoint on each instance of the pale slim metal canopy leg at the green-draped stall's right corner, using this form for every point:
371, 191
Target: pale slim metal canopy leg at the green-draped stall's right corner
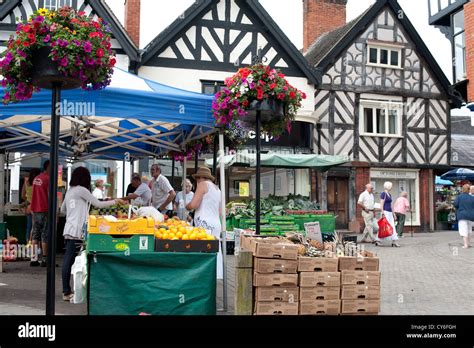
223, 217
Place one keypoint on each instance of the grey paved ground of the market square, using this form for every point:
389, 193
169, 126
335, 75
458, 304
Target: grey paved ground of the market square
429, 275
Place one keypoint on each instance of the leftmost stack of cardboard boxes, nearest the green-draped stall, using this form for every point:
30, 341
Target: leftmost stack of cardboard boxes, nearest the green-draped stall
275, 277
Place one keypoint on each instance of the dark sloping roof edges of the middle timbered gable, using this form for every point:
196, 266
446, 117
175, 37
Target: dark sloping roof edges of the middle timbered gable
200, 7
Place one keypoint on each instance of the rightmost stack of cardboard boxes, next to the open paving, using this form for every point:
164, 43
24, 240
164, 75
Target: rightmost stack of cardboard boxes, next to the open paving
360, 279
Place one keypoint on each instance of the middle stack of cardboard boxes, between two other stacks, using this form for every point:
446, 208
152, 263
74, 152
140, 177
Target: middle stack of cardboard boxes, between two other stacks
320, 285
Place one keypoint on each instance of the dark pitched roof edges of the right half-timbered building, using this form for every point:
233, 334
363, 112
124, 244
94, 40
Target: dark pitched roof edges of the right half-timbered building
341, 38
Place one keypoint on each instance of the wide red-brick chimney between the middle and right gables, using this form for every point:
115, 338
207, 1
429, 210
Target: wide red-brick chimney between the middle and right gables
321, 16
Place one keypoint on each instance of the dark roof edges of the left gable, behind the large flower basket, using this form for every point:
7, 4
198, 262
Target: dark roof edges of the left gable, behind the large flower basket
103, 11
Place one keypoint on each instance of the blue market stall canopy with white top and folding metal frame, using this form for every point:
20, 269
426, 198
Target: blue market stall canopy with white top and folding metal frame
132, 115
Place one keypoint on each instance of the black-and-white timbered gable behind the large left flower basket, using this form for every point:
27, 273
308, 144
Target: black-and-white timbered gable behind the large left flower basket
13, 10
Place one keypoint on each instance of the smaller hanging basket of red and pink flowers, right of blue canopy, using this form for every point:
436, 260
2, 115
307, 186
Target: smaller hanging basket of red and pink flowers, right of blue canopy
258, 88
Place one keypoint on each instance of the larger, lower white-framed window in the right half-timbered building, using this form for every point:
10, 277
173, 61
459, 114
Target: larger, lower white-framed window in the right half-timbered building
380, 118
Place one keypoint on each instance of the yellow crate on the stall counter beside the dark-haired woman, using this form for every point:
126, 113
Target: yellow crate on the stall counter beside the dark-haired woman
99, 224
